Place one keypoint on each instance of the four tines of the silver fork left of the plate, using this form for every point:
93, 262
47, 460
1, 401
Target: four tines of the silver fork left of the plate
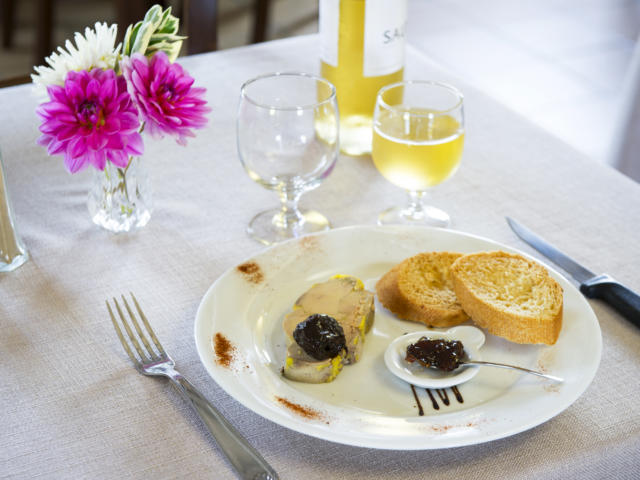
150, 354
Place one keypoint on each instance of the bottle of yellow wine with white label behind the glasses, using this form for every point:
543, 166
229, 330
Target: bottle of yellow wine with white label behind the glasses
362, 50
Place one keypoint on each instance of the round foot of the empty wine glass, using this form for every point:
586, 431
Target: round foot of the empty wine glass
269, 228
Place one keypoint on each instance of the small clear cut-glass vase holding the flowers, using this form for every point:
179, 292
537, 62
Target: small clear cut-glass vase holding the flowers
120, 199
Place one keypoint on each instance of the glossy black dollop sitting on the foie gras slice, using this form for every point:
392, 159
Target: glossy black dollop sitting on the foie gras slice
320, 336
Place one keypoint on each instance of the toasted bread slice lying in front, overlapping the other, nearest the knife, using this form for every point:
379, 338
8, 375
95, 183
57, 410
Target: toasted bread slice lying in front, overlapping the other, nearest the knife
510, 296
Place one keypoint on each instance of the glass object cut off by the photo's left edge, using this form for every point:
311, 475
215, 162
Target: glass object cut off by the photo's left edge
12, 251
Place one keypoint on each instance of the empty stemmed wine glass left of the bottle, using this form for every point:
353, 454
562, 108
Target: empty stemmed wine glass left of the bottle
287, 132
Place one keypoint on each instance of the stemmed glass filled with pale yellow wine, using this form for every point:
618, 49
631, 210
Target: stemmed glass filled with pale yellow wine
418, 137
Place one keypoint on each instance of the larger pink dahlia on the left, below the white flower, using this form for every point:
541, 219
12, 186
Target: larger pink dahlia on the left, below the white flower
91, 120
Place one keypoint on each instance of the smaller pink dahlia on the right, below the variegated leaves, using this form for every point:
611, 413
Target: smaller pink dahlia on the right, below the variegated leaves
163, 92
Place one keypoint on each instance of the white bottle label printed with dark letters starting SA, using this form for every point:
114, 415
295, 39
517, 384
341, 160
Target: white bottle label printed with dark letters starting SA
384, 28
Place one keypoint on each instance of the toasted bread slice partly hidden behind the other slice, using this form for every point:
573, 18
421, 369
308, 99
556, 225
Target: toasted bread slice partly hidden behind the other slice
420, 289
